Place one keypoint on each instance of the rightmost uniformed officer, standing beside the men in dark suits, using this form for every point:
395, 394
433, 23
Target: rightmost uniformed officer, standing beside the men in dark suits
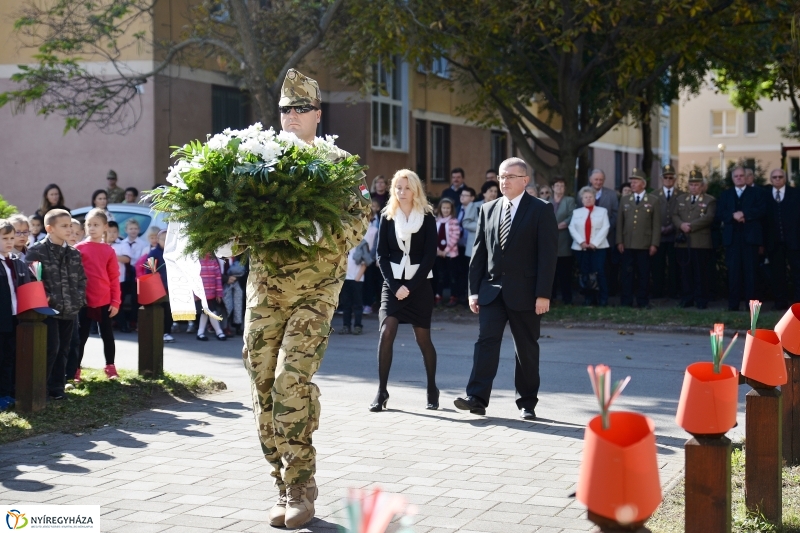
693, 217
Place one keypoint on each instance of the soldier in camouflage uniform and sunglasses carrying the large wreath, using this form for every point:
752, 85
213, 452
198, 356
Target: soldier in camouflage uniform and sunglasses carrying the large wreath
287, 324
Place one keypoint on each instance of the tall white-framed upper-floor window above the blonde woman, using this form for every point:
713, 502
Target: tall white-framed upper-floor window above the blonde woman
389, 101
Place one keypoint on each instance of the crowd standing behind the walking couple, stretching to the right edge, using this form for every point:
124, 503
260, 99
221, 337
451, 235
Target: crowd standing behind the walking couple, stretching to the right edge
636, 244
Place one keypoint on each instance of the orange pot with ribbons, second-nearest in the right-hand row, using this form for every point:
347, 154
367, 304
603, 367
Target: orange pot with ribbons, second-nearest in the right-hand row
708, 400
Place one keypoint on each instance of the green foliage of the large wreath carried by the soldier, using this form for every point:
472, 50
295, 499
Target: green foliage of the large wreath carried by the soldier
269, 206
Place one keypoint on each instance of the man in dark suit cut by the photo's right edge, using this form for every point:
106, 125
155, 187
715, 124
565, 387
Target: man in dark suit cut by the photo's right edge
782, 239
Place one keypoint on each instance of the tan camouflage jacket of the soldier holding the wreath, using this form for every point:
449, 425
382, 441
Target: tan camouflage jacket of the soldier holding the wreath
314, 279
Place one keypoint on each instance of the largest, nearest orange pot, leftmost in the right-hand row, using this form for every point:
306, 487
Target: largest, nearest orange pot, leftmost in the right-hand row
619, 472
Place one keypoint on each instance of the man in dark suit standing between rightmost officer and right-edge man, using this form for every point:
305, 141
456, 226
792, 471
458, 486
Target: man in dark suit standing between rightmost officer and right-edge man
741, 211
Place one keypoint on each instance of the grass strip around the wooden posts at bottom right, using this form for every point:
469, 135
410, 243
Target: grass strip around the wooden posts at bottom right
669, 517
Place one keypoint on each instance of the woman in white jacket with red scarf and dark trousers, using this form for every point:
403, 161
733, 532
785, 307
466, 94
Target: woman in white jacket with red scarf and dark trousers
589, 228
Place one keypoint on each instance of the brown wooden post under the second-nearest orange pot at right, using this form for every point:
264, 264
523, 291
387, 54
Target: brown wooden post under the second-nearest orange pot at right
708, 484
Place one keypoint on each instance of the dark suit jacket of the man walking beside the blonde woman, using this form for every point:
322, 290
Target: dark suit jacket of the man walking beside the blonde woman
526, 269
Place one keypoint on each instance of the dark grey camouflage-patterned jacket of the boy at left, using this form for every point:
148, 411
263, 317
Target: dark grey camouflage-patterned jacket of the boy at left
63, 276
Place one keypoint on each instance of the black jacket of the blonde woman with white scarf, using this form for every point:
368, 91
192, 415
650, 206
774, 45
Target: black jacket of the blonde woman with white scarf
422, 252
